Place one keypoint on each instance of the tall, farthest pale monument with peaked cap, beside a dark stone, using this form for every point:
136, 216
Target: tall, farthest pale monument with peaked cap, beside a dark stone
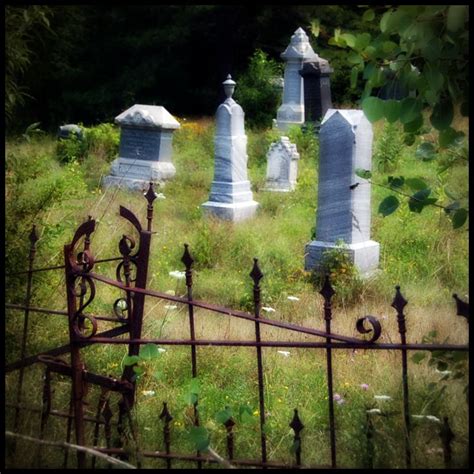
291, 112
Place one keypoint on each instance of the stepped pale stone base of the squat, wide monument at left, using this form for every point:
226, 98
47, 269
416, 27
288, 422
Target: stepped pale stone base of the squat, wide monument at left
137, 174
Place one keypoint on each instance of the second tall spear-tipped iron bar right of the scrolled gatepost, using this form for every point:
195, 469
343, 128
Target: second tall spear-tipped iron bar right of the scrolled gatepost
256, 276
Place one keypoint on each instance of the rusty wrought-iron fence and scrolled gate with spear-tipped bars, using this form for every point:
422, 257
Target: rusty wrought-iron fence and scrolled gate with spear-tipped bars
131, 278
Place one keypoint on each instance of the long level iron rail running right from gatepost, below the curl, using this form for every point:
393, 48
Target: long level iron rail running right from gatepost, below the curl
296, 344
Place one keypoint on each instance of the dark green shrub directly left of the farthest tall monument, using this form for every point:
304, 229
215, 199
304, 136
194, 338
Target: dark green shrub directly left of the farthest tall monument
256, 92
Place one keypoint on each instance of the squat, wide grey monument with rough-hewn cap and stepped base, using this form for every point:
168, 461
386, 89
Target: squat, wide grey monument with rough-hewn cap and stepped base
145, 147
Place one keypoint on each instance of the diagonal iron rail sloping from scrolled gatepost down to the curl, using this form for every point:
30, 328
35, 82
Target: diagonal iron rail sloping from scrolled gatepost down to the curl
222, 310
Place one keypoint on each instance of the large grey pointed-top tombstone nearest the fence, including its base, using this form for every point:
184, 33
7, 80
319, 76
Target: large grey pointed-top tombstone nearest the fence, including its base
343, 212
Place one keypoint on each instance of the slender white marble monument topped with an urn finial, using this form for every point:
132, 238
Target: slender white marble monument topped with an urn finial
230, 197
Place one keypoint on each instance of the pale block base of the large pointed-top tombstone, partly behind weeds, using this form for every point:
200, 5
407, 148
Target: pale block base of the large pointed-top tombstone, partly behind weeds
364, 255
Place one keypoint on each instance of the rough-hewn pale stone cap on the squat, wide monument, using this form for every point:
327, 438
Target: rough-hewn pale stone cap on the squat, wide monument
149, 116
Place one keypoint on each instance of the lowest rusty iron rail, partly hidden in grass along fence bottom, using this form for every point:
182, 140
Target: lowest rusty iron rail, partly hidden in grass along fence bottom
207, 458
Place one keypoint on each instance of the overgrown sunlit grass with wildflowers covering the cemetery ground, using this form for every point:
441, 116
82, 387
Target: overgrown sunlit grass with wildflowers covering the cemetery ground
57, 188
